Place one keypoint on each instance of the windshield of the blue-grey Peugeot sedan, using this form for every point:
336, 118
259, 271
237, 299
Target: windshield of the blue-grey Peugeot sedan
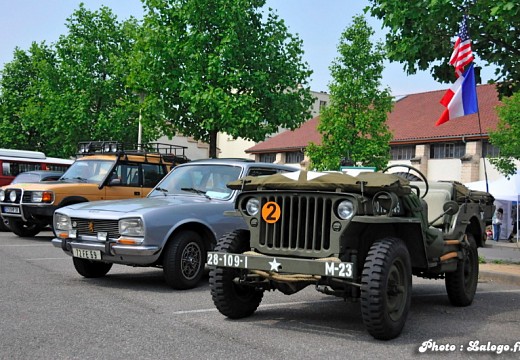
199, 180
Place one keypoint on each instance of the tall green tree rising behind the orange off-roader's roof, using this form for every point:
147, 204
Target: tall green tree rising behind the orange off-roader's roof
93, 98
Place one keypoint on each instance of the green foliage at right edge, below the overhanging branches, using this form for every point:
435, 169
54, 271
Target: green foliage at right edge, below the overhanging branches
507, 134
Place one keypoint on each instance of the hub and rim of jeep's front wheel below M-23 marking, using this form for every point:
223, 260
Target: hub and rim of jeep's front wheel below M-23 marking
396, 291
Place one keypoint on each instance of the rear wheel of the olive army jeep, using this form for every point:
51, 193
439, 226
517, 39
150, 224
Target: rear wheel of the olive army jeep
461, 285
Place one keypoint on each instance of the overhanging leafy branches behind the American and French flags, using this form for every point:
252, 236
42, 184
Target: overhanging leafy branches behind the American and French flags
421, 35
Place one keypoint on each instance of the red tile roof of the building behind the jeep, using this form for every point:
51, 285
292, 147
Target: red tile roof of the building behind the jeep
412, 120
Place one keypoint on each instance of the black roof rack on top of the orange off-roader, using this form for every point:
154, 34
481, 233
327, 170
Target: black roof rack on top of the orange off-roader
170, 152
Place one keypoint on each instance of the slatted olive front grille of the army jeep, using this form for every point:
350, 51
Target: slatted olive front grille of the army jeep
303, 227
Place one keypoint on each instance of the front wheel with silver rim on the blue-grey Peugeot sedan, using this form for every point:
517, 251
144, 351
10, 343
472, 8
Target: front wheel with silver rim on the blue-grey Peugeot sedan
184, 260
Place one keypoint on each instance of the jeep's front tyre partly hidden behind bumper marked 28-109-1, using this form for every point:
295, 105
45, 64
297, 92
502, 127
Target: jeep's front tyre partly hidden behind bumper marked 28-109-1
233, 300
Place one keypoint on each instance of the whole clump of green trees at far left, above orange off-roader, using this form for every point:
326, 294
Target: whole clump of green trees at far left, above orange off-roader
53, 97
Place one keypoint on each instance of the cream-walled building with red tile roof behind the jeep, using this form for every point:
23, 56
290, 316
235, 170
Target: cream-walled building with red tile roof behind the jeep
457, 150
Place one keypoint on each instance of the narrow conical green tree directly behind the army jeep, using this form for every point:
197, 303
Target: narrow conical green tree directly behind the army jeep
353, 126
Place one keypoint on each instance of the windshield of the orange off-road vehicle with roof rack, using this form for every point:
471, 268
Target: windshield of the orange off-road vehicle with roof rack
88, 171
